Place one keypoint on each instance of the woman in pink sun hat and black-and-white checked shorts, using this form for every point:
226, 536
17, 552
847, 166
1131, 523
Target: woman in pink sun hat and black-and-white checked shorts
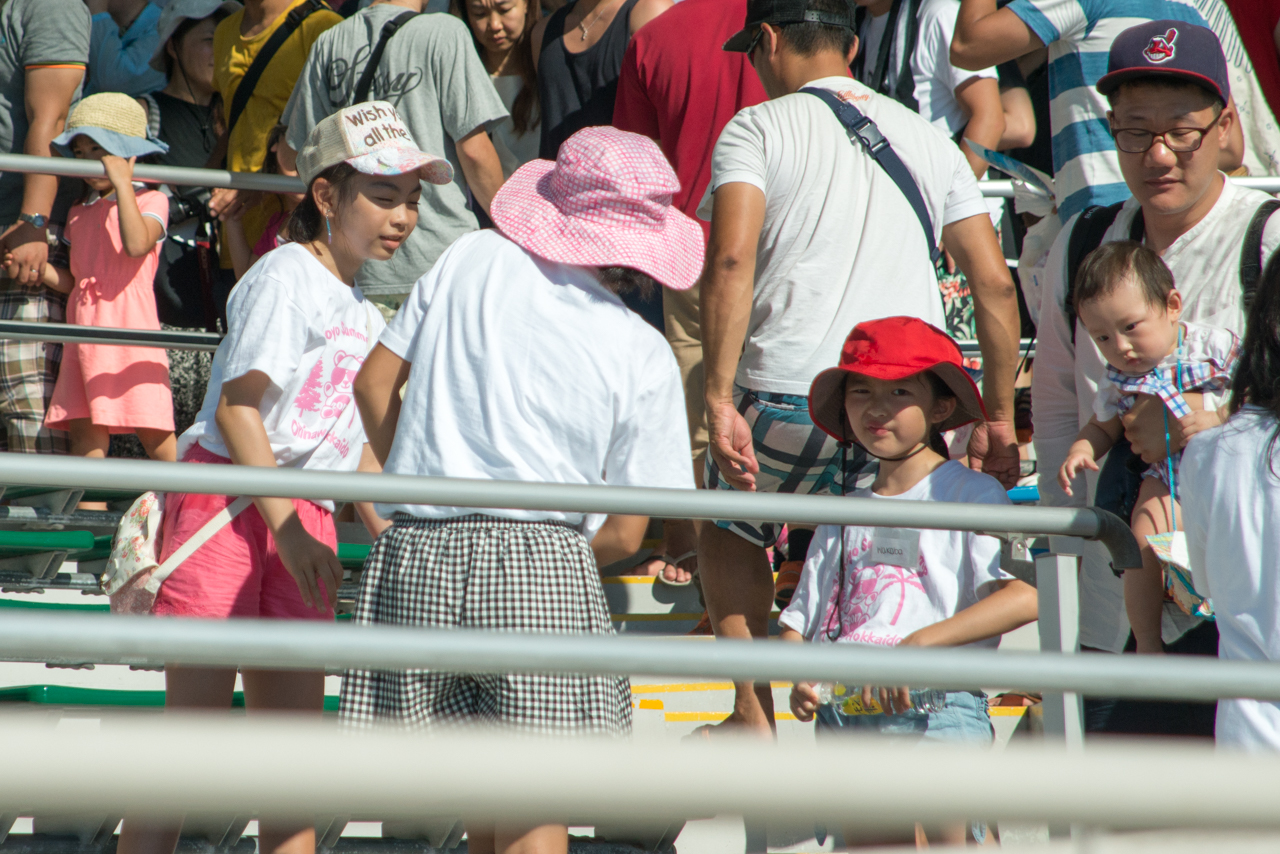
519, 362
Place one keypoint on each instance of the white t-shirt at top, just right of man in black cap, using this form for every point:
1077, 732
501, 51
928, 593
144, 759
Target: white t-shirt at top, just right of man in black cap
936, 79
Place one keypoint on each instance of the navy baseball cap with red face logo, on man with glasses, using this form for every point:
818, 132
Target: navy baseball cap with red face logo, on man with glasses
1168, 49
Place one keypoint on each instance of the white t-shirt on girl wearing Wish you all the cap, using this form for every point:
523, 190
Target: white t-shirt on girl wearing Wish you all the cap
298, 323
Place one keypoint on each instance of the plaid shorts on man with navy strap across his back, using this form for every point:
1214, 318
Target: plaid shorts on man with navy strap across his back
794, 455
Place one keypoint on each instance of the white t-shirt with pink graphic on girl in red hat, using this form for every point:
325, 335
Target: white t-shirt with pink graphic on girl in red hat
881, 601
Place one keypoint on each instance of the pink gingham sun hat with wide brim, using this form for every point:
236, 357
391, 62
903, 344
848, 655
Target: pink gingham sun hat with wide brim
606, 202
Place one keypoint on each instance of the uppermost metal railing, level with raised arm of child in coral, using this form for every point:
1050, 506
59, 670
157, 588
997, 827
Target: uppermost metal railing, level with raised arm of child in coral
74, 168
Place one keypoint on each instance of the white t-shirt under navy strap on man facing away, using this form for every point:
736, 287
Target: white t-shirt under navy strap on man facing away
840, 243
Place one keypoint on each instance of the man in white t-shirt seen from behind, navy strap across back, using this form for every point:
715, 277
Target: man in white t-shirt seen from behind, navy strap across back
811, 236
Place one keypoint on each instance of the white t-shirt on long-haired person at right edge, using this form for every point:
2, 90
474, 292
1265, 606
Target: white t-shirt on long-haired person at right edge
1231, 503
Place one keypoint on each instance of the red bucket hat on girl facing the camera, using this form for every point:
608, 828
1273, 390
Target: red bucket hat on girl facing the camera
894, 349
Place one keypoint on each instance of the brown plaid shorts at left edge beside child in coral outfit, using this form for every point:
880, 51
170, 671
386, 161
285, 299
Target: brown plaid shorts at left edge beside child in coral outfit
29, 372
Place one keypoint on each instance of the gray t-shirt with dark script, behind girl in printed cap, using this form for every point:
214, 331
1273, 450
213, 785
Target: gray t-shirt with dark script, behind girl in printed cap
432, 74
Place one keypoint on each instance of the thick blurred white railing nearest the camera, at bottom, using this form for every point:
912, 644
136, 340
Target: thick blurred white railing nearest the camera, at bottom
168, 766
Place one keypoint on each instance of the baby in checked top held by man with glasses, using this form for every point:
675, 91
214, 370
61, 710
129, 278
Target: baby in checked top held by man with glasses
1127, 302
